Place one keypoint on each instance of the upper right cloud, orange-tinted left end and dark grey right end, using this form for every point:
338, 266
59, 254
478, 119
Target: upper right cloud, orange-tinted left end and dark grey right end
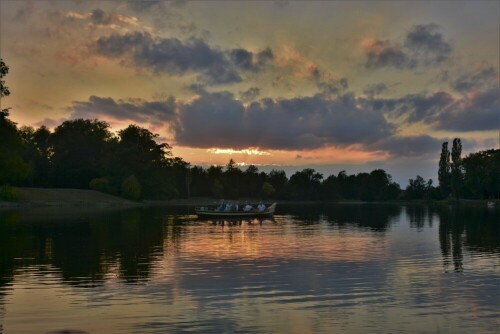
424, 45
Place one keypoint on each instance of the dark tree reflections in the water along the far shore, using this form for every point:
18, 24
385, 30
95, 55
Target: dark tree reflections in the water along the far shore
86, 247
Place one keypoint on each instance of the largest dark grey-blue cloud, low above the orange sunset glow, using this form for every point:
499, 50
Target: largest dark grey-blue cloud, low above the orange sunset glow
219, 120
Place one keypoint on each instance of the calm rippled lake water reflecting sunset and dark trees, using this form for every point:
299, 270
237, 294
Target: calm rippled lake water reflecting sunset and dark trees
313, 269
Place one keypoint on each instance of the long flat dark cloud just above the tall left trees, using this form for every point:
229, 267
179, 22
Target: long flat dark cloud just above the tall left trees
138, 111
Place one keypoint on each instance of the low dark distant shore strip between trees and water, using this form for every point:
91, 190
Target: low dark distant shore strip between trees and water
82, 198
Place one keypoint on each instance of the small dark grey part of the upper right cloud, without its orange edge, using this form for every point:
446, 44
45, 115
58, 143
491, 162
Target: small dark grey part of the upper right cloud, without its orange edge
428, 44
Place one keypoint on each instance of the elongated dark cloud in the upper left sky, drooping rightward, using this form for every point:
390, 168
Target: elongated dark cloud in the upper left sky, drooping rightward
174, 56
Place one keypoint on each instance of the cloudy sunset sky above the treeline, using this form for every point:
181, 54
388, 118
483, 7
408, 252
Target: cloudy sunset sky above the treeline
329, 85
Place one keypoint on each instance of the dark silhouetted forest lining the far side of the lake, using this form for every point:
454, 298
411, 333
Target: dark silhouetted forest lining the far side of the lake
132, 163
